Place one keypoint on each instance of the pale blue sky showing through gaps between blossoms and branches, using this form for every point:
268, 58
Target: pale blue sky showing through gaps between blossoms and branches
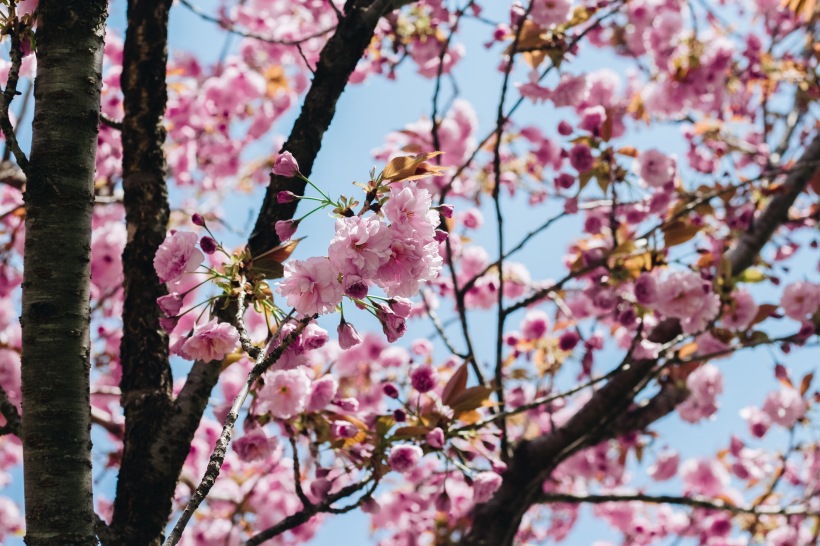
369, 111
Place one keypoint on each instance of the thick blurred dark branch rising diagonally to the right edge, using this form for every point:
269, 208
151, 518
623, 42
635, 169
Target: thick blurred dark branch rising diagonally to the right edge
607, 414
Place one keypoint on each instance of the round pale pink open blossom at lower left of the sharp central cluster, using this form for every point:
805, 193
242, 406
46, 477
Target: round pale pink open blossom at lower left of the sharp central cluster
311, 286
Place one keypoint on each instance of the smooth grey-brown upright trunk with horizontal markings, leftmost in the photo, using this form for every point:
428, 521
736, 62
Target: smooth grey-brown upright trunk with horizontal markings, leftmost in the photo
55, 308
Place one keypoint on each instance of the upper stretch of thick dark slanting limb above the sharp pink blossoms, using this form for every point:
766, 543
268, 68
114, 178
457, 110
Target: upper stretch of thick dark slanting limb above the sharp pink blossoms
336, 63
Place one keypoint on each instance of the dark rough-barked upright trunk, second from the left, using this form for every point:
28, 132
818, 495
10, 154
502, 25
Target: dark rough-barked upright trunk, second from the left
144, 491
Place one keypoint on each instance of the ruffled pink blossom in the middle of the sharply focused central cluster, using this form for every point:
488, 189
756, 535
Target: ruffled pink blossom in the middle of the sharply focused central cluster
360, 246
